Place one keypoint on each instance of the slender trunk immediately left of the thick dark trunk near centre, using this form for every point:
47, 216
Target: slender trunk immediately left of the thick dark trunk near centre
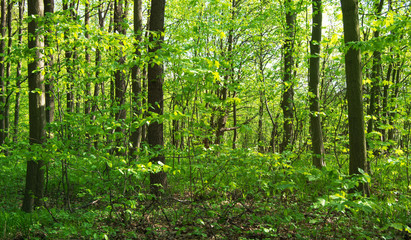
136, 133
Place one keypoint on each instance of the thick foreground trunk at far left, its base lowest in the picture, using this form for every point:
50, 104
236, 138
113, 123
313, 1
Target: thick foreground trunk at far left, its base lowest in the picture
35, 173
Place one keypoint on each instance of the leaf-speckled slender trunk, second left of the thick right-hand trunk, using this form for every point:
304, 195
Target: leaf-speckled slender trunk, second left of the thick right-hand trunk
288, 92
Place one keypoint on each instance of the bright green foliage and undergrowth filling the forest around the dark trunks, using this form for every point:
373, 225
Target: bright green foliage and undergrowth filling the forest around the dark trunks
95, 189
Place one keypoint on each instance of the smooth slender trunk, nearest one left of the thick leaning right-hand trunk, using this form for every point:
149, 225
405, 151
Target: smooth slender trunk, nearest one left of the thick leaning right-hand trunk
313, 81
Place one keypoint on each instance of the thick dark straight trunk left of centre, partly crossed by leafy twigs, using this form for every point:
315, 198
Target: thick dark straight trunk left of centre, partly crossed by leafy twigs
155, 93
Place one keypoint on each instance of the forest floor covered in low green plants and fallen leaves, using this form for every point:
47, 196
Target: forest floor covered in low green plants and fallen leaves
252, 196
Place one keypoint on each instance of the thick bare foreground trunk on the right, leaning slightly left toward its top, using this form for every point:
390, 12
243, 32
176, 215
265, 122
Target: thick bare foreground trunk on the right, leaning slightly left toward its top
358, 154
